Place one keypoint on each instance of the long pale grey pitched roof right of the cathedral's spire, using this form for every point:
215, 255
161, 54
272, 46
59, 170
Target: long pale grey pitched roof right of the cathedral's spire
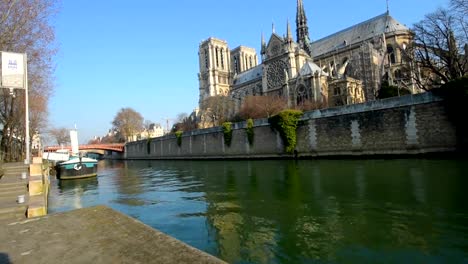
360, 32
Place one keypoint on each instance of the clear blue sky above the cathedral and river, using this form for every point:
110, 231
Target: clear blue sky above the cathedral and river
143, 54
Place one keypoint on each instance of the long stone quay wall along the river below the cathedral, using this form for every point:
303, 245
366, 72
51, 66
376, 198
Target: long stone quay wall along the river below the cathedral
411, 124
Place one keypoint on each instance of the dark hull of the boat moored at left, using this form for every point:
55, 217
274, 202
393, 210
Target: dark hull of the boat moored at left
76, 170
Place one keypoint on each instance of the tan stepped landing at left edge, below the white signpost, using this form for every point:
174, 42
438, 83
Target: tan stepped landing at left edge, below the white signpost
11, 185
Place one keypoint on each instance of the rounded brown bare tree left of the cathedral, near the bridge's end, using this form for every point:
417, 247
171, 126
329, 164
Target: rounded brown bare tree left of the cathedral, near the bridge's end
127, 122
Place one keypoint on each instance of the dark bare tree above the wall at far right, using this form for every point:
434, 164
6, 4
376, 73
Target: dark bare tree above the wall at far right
439, 48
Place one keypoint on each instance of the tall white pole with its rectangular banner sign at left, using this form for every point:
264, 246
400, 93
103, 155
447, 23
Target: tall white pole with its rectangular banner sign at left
14, 75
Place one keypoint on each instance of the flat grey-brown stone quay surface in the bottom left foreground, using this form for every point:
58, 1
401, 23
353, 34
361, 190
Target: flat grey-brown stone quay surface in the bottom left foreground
92, 235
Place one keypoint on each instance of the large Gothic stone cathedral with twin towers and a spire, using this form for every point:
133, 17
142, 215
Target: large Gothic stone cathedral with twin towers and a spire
346, 67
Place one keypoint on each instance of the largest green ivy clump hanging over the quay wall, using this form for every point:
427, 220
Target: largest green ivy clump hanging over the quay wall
285, 123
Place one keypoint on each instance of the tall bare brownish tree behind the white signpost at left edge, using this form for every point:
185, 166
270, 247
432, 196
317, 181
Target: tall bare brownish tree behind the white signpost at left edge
26, 27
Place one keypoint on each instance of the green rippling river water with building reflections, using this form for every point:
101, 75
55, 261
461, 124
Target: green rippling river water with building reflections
325, 211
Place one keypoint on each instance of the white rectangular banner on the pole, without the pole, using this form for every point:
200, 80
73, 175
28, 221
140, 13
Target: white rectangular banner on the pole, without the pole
12, 70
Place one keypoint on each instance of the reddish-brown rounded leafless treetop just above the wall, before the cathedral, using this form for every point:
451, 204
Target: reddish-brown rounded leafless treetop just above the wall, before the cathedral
262, 106
